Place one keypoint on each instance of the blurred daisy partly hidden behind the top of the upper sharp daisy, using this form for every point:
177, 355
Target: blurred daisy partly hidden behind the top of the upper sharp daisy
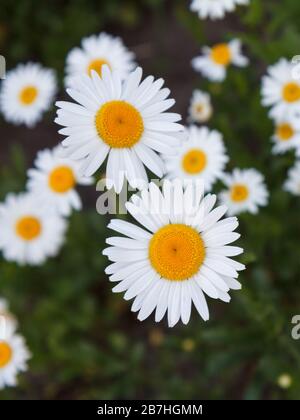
96, 51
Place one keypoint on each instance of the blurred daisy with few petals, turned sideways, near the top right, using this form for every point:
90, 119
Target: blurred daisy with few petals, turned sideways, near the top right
214, 61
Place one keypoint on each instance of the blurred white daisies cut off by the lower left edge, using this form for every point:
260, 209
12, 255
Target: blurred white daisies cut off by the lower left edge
13, 351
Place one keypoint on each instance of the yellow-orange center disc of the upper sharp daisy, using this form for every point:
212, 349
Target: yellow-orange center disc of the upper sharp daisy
119, 124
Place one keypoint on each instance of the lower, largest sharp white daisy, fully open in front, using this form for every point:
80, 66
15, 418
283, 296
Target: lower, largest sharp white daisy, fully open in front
181, 252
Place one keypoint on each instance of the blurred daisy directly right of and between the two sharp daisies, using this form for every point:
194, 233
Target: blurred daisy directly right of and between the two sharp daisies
201, 156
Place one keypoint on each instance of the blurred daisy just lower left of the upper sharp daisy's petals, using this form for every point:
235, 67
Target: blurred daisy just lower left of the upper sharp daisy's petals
54, 180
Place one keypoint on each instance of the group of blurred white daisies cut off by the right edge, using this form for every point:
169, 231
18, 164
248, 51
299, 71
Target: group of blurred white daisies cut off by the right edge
281, 92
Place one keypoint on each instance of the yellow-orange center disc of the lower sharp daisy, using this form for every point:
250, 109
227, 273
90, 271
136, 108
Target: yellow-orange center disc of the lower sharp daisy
176, 252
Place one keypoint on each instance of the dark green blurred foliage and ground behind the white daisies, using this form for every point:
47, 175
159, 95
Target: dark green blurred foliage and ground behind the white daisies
86, 344
